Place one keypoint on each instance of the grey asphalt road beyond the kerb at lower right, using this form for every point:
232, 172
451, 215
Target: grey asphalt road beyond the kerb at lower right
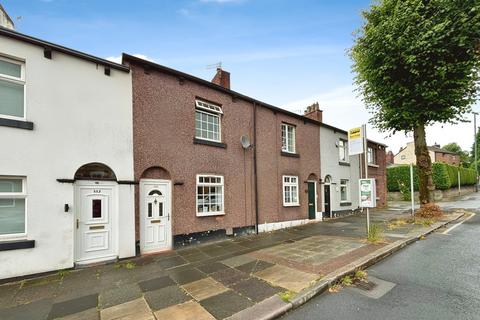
436, 278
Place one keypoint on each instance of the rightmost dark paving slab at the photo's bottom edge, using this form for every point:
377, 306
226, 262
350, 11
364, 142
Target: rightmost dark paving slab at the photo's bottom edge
226, 304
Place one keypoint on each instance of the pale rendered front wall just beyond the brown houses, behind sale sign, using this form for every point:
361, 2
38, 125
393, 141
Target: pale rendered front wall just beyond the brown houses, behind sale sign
329, 161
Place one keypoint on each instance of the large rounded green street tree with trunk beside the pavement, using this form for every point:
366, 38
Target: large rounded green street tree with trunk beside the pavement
416, 62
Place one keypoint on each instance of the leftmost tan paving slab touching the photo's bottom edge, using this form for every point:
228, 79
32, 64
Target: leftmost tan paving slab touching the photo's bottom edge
133, 310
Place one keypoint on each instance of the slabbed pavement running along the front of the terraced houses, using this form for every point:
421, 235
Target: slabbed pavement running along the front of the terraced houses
250, 277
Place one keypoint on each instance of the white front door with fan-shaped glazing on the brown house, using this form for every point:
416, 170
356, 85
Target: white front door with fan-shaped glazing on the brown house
155, 215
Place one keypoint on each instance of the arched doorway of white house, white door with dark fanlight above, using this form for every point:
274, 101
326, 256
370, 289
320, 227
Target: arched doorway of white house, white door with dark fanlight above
96, 214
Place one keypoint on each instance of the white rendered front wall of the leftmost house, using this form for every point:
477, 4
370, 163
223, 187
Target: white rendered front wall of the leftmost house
80, 116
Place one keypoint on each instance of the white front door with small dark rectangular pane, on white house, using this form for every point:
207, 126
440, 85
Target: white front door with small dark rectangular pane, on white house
95, 222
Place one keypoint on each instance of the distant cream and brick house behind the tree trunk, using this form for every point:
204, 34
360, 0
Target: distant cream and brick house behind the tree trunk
407, 155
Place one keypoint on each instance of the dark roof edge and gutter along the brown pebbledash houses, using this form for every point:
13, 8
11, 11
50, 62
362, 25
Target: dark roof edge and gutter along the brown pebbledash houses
130, 58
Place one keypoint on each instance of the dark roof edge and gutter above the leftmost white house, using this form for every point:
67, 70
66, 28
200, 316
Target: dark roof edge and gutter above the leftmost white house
55, 47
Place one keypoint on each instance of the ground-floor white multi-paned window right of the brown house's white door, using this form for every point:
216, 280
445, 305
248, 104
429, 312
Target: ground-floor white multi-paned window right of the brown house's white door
210, 195
